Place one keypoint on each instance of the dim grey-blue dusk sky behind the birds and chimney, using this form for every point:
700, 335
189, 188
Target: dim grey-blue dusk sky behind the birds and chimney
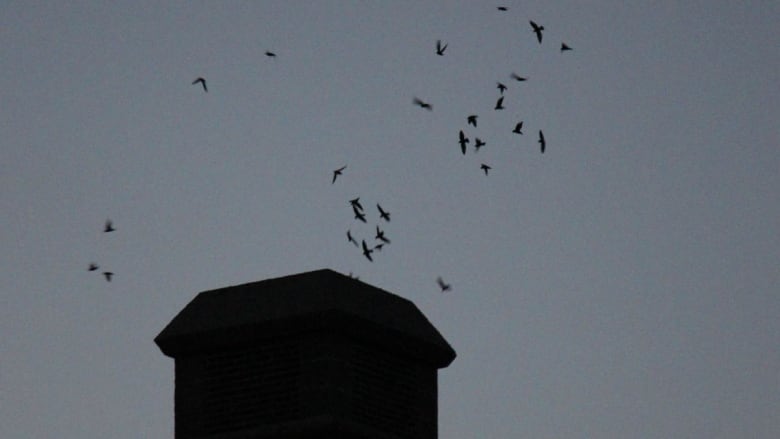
623, 284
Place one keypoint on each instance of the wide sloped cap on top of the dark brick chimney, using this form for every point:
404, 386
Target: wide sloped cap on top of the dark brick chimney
299, 303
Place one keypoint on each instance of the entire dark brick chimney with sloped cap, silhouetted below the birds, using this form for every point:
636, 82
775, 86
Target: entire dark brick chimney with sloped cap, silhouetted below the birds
311, 355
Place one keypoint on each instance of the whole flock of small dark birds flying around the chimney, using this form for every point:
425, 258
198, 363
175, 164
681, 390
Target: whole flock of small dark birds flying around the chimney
368, 248
